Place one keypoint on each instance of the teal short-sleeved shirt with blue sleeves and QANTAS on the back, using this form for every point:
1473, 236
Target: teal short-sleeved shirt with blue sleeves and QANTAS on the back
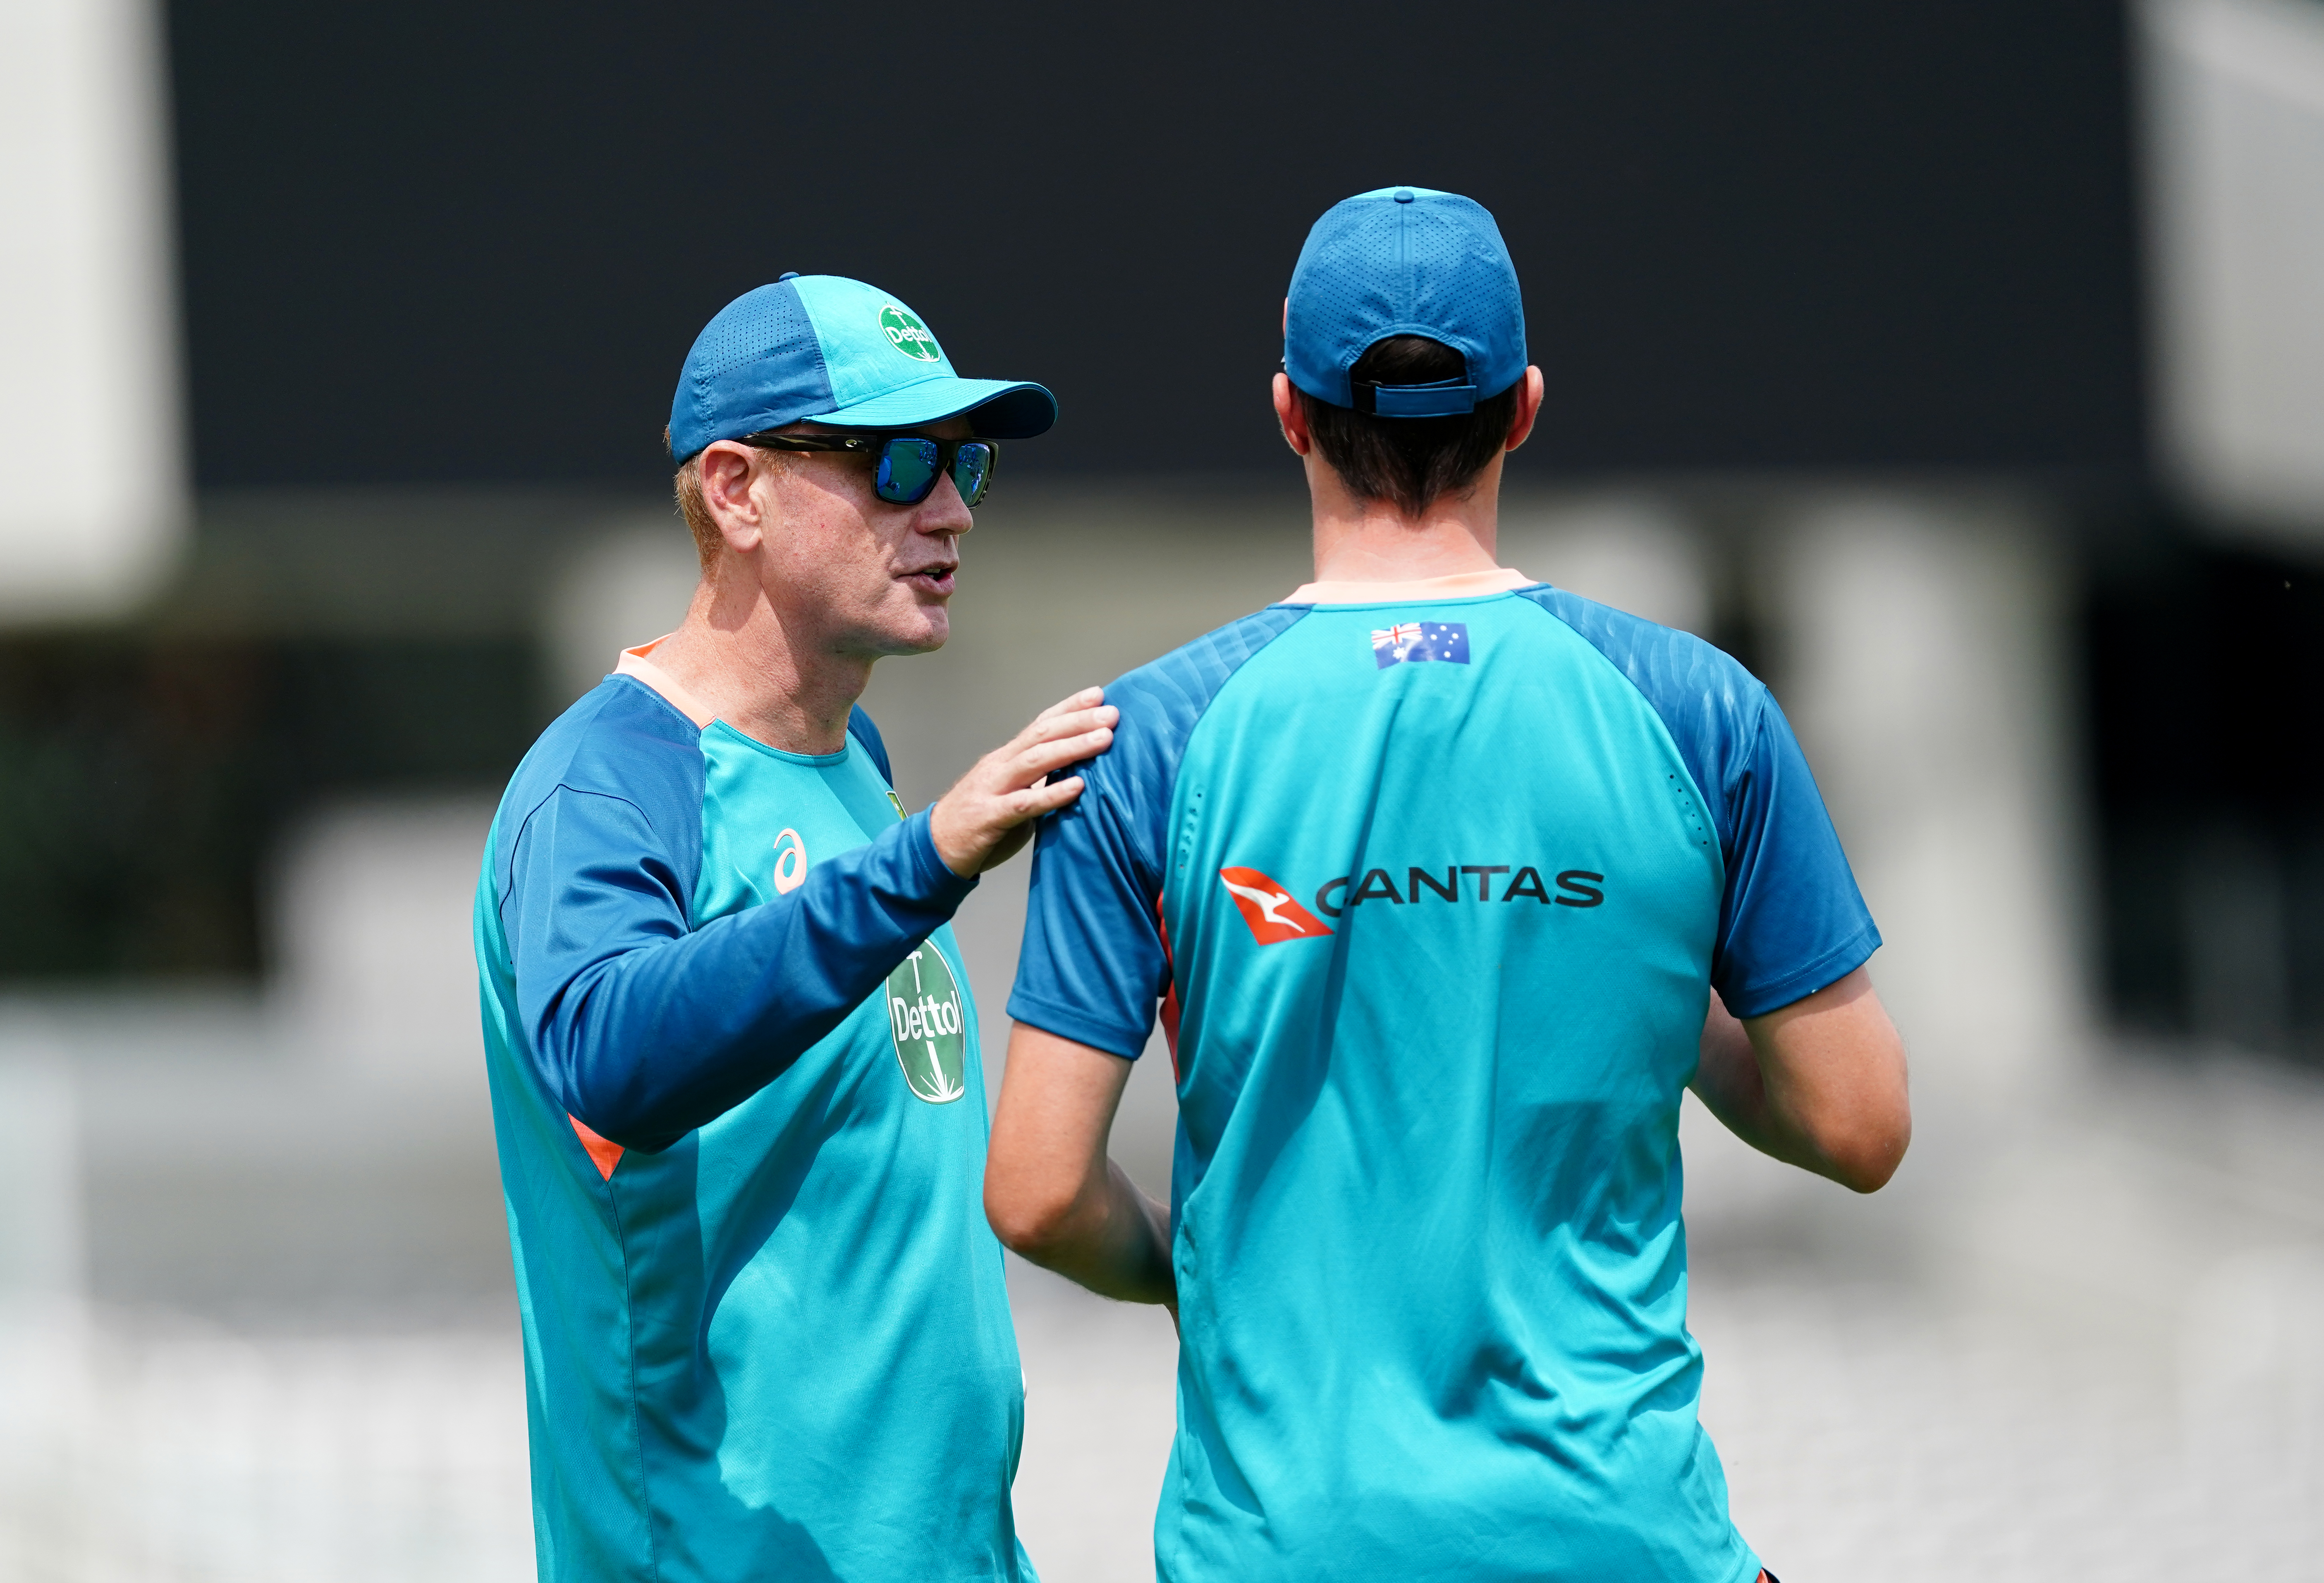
1430, 887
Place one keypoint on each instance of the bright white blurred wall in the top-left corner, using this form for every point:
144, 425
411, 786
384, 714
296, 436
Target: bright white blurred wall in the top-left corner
92, 431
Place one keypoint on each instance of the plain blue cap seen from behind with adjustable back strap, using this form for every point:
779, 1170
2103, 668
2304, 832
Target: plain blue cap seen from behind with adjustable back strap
1405, 262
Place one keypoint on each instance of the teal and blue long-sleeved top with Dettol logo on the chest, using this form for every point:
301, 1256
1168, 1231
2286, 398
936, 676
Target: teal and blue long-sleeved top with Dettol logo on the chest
743, 1136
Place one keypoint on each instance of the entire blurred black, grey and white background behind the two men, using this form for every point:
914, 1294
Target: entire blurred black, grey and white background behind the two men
1958, 368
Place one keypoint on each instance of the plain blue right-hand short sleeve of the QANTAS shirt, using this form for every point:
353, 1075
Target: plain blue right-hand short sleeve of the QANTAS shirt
1793, 917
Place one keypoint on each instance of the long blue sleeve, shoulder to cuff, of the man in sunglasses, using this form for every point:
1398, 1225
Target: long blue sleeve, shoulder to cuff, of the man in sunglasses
645, 1029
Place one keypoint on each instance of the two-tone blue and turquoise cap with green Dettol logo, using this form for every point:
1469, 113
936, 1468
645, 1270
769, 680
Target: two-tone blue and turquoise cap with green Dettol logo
838, 352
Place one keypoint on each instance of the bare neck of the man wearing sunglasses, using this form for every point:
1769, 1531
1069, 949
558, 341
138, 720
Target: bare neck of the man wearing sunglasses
740, 664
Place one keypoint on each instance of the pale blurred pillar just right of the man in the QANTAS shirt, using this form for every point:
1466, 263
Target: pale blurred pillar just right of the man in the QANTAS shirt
1923, 664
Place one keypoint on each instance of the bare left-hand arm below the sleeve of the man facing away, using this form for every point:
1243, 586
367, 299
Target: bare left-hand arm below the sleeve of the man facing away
1052, 1191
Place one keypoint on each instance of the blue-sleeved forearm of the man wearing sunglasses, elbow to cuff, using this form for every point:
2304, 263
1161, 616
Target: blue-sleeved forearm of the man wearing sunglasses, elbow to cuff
659, 1040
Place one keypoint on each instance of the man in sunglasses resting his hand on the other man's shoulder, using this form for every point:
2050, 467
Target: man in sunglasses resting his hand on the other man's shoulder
731, 1043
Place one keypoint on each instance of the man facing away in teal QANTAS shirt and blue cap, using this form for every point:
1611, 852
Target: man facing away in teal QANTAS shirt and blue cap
1447, 884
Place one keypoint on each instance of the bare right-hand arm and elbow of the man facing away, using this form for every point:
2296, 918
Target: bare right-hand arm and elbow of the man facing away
1819, 1084
